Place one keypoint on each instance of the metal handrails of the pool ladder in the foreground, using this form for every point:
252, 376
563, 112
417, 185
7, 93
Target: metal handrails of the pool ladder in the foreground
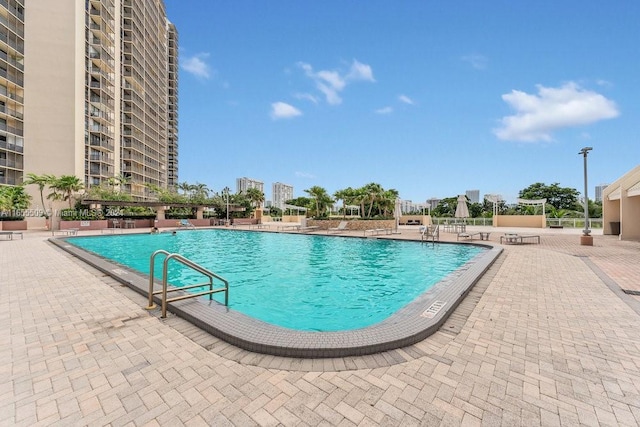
185, 261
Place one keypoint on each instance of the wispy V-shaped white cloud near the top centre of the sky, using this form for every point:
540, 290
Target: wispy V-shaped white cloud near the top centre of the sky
331, 82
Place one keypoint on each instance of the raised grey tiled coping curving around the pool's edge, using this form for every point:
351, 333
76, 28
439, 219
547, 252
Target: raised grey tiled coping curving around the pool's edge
411, 324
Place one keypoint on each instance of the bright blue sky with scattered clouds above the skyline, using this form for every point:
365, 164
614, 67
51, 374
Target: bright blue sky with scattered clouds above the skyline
431, 98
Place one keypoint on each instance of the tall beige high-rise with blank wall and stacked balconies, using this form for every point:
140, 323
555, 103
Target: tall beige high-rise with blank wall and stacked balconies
101, 92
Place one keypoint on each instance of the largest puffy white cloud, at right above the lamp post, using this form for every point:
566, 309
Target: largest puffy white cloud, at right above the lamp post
537, 116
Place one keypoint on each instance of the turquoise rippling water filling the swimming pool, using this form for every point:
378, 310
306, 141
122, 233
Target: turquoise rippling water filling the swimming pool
302, 282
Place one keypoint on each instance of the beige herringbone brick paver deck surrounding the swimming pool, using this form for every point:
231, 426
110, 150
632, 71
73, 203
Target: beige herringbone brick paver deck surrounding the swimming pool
546, 337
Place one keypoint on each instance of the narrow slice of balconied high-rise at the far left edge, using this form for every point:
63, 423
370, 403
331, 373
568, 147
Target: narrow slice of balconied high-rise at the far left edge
11, 92
